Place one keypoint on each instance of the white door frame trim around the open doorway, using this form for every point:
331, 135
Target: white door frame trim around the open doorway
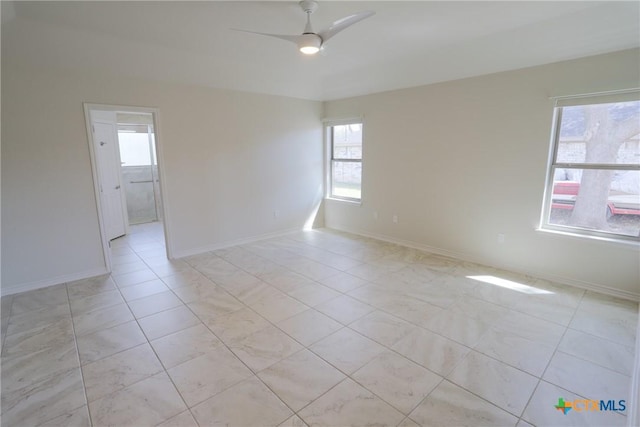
155, 114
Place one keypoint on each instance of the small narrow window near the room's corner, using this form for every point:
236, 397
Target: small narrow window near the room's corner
345, 165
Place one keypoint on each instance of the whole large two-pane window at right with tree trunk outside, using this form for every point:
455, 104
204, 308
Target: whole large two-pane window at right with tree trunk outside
593, 187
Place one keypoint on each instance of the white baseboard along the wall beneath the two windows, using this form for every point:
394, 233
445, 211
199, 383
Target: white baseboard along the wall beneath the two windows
596, 287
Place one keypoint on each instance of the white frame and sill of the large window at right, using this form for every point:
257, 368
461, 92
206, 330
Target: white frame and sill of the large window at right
553, 164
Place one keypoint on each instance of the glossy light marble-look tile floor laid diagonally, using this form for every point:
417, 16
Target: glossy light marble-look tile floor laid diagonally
315, 328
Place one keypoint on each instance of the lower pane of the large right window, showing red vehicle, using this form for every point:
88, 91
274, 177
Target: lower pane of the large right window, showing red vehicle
597, 199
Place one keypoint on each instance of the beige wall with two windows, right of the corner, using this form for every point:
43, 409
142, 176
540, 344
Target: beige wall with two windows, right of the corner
462, 161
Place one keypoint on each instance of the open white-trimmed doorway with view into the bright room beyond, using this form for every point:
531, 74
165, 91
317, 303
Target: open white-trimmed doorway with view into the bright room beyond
127, 176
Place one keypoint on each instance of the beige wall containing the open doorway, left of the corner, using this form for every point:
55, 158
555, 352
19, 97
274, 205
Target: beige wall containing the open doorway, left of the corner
231, 159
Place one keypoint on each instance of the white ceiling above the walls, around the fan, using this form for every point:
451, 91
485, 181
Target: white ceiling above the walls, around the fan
407, 43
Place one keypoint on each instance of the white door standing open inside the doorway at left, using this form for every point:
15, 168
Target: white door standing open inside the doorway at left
105, 141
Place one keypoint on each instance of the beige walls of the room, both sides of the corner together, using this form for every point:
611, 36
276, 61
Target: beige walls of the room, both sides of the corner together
442, 157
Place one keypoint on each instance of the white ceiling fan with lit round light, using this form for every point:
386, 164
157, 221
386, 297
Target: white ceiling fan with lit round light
310, 42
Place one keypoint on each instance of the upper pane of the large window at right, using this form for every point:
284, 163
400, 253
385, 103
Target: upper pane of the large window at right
600, 134
